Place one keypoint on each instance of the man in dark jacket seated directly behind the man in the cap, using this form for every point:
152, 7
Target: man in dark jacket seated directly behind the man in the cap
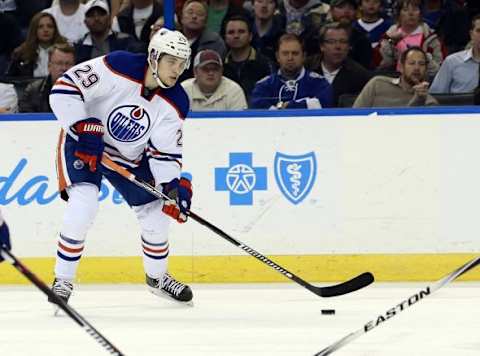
194, 20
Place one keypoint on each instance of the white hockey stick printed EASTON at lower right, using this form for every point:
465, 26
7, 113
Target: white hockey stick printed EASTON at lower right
400, 307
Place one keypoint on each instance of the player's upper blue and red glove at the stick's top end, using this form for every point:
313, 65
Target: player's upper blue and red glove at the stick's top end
90, 142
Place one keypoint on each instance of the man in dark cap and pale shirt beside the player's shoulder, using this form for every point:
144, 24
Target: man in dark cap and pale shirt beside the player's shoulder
210, 90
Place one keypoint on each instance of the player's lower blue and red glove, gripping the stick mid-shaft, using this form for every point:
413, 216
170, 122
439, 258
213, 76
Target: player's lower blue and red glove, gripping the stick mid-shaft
180, 193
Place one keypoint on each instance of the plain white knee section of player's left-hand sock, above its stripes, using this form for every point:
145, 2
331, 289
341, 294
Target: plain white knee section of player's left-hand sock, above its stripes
81, 210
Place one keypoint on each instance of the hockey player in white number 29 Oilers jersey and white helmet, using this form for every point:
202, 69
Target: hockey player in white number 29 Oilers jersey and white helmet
131, 107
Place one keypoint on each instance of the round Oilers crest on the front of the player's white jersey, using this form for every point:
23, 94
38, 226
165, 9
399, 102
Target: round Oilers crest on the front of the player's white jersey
128, 123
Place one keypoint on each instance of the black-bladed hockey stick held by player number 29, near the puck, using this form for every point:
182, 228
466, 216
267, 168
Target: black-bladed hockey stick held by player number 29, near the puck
349, 286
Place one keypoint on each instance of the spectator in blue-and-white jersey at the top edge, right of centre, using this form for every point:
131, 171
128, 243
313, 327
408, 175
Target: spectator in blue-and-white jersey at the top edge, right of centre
371, 23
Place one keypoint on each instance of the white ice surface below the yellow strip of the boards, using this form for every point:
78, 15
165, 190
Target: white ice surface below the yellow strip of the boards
228, 320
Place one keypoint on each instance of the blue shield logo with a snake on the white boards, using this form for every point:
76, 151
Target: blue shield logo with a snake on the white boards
295, 175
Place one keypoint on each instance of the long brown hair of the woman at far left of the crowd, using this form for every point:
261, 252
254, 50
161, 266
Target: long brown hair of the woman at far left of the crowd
28, 50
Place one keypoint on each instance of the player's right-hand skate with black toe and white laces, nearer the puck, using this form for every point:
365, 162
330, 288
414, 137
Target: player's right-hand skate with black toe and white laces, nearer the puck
170, 288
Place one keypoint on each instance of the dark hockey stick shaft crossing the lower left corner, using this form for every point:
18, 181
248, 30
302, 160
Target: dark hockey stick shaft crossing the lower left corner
72, 313
